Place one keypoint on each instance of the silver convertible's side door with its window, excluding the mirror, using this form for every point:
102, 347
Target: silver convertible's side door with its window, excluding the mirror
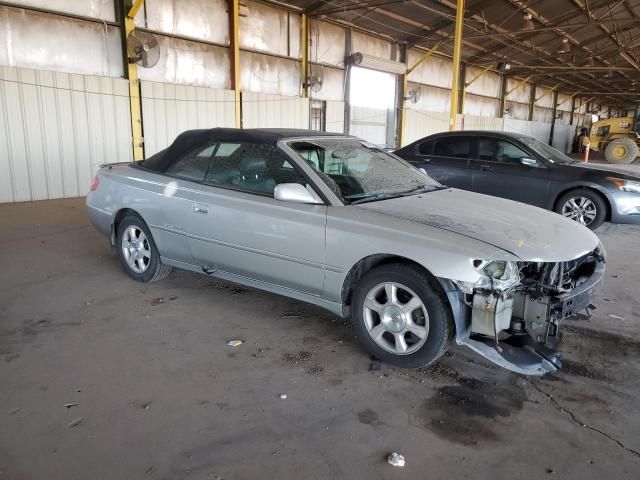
236, 225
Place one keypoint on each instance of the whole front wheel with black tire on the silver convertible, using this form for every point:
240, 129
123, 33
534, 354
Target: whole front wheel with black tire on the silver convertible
401, 317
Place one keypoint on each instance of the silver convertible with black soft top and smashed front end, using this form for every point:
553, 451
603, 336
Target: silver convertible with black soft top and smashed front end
335, 221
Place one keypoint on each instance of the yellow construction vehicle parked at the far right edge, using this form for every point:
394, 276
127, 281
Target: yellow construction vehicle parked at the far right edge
618, 138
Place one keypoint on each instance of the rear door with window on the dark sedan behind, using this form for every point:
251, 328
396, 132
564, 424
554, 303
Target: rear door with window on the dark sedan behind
446, 159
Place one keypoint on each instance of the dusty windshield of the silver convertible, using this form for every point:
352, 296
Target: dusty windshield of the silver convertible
358, 171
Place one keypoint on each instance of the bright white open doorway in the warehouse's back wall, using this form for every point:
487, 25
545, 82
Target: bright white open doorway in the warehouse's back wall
372, 97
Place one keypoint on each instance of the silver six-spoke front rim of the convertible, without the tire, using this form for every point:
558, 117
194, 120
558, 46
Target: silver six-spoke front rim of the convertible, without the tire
396, 319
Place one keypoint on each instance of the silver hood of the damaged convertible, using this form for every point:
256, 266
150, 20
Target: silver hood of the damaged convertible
531, 233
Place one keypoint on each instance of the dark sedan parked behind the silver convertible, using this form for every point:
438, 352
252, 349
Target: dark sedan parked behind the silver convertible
522, 168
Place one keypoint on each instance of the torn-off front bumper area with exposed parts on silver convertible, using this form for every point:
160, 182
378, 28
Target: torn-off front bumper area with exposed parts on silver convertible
518, 330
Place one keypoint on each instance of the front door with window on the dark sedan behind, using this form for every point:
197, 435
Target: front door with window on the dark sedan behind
498, 170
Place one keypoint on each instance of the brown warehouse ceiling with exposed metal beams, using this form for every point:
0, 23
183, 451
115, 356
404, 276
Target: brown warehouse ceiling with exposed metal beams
587, 46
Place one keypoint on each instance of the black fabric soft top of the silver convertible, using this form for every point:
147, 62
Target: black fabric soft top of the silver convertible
193, 138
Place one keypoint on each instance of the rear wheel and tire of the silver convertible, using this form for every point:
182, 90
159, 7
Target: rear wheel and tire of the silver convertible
138, 252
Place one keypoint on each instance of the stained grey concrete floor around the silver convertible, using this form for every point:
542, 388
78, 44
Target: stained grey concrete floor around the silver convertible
103, 377
